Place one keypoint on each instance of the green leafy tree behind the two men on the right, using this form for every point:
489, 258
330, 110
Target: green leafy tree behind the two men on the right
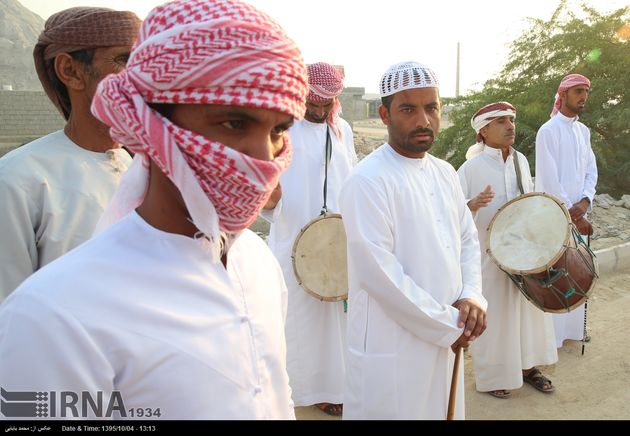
596, 45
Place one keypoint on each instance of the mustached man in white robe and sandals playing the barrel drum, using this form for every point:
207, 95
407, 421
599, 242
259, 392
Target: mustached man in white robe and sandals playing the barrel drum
519, 336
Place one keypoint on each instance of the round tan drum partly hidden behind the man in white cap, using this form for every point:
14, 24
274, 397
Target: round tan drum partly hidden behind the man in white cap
319, 258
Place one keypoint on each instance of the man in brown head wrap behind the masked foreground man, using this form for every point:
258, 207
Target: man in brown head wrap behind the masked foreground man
54, 190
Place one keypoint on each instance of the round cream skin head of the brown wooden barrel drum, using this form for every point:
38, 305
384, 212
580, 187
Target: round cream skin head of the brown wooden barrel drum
529, 233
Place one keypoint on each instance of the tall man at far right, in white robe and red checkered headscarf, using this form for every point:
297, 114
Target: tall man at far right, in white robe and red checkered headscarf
566, 167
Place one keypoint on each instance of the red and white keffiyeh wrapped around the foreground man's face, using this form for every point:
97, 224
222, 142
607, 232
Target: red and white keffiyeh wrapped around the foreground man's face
202, 52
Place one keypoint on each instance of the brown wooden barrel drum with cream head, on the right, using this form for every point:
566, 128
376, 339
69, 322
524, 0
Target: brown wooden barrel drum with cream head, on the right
531, 238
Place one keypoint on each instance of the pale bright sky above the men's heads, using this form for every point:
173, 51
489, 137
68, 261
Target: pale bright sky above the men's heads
366, 37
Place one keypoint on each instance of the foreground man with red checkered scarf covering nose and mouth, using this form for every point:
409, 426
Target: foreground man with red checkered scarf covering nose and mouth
174, 308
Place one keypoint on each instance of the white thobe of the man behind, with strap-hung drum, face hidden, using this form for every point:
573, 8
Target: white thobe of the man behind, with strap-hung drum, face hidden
315, 329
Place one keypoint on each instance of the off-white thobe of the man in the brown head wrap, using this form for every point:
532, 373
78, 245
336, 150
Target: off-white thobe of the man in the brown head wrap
53, 193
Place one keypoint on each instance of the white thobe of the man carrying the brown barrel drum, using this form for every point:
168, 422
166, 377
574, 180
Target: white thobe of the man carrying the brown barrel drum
519, 335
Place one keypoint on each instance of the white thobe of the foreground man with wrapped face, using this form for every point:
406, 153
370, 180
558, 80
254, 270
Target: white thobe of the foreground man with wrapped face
150, 315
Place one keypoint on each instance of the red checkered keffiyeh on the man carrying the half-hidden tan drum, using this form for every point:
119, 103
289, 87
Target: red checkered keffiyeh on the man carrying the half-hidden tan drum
325, 82
